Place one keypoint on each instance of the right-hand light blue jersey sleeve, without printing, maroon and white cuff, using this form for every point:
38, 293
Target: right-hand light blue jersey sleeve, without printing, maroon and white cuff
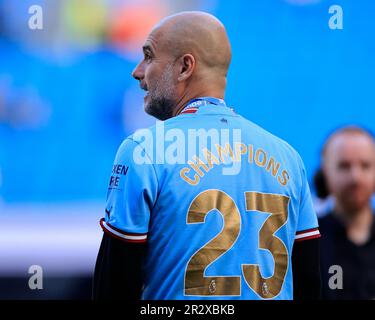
307, 227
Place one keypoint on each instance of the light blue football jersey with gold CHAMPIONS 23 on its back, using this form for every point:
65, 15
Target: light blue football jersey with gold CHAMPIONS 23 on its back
220, 202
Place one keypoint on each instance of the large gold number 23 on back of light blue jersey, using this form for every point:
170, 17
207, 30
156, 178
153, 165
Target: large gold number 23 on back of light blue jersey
197, 284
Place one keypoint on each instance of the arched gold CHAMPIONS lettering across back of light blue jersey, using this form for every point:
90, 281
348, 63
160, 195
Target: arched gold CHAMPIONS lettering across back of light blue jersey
198, 167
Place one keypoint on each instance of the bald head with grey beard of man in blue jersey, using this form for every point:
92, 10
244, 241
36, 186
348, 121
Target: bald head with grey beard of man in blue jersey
186, 55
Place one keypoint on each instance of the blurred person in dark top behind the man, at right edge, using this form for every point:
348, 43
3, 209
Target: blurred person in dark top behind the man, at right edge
348, 230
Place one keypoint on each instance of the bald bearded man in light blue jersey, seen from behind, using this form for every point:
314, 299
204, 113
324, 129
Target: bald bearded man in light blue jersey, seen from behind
228, 218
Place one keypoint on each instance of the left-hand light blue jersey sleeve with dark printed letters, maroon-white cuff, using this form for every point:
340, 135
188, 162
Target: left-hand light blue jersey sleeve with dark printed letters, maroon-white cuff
131, 195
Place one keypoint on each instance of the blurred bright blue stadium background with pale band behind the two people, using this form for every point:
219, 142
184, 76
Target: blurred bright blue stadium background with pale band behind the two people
67, 100
